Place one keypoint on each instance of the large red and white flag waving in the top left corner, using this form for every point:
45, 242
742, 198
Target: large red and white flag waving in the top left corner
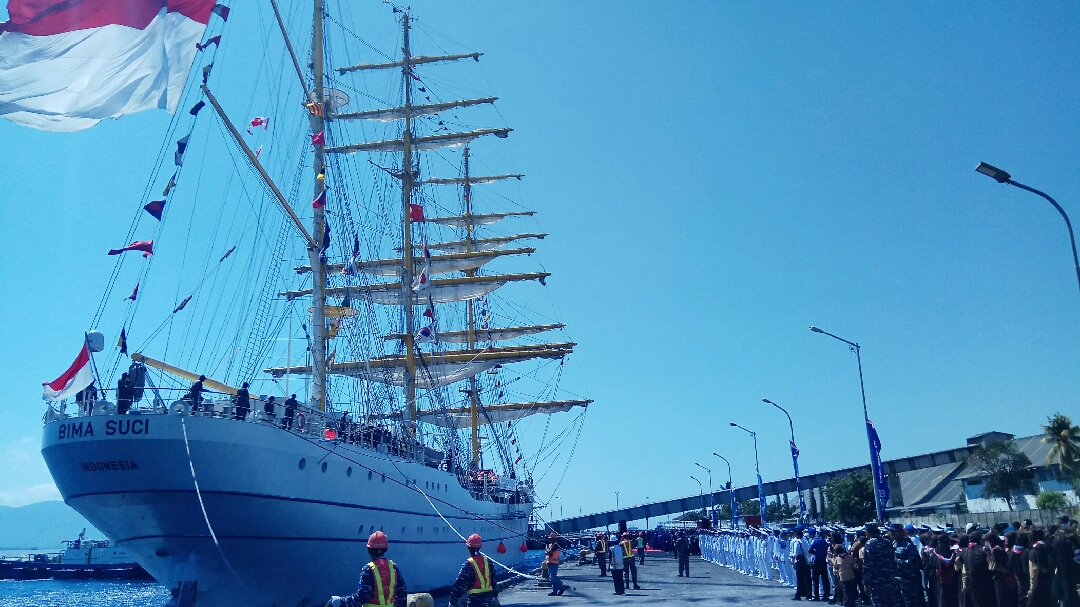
65, 65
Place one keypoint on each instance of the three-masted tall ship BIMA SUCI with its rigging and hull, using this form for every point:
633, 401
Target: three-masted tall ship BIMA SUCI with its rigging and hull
331, 328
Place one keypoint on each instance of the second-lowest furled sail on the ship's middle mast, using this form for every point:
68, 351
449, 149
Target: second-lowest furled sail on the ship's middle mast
440, 291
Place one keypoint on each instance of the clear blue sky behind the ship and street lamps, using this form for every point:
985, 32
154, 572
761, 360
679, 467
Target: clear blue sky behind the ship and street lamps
717, 178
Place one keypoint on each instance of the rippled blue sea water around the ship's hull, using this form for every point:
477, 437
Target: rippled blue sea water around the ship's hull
93, 593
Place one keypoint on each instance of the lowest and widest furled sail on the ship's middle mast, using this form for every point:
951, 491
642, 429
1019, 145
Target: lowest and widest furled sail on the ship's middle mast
437, 369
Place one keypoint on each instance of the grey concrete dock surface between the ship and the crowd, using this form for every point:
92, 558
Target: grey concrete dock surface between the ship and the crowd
708, 585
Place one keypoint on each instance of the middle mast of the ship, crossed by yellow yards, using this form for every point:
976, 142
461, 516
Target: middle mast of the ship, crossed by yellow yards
408, 259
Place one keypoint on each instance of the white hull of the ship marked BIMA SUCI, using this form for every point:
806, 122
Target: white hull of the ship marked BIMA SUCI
288, 535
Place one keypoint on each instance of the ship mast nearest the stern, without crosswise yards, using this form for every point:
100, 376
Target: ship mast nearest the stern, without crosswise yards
319, 223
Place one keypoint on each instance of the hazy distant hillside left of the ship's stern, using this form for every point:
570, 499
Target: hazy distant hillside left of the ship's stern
42, 527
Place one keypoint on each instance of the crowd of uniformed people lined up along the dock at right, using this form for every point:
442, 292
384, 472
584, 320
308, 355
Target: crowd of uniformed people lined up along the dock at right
1018, 565
